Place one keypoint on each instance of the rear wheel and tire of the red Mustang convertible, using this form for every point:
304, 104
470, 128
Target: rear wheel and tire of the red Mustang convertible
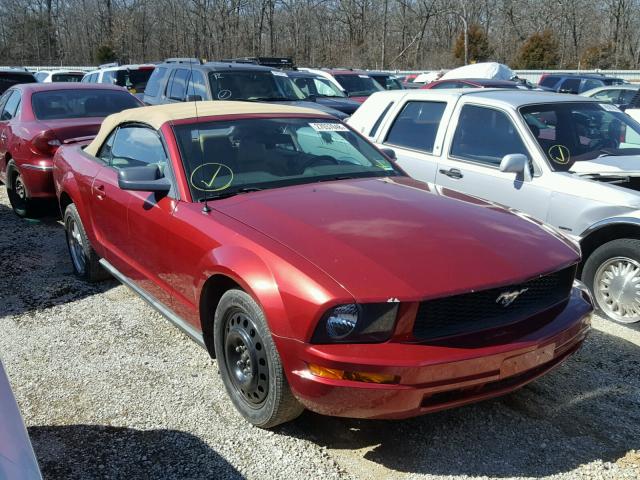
84, 259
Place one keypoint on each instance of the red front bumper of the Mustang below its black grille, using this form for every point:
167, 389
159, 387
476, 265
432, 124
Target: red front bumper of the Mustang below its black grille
434, 376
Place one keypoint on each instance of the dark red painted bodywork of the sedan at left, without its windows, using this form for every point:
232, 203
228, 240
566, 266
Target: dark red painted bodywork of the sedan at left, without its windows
19, 133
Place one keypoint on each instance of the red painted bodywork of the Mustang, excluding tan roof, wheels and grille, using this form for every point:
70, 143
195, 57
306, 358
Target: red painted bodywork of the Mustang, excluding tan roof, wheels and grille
300, 250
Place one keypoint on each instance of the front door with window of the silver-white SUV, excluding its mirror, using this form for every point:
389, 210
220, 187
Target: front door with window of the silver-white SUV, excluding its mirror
482, 137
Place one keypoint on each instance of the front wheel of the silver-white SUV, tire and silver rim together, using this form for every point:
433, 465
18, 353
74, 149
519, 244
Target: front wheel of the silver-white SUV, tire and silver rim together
612, 272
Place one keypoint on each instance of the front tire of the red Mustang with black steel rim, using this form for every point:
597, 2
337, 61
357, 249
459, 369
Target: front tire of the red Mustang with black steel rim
253, 377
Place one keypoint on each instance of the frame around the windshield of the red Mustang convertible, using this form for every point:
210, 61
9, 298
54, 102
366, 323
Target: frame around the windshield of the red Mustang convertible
395, 170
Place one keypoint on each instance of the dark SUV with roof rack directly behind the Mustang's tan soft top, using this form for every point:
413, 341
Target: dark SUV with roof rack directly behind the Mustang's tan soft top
180, 80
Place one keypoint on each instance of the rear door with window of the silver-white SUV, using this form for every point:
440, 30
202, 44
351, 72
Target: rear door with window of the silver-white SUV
416, 135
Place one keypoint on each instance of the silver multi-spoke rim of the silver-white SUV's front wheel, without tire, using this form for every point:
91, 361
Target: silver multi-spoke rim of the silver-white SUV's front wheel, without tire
617, 289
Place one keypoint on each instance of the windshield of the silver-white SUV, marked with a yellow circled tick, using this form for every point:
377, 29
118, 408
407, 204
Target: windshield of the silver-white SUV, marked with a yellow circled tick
570, 132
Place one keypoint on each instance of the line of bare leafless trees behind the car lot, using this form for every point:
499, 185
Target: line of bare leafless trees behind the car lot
384, 34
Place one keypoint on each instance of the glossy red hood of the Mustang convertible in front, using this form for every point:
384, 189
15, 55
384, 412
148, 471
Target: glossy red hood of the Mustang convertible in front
395, 238
